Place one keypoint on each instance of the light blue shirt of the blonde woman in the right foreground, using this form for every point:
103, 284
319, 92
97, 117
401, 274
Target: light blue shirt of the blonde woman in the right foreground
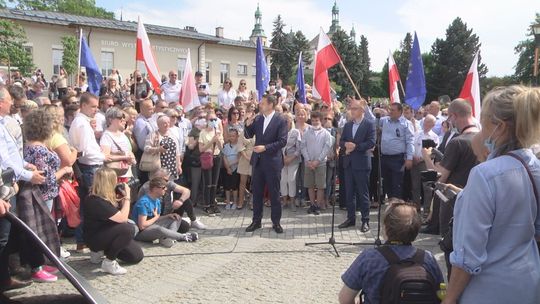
496, 218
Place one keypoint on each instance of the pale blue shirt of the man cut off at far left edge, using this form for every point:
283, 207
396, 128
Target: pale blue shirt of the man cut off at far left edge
10, 157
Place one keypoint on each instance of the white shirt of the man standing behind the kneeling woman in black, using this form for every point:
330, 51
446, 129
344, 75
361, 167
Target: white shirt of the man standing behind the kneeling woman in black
81, 136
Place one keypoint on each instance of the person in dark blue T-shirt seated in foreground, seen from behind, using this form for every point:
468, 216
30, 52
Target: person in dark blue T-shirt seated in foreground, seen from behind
368, 272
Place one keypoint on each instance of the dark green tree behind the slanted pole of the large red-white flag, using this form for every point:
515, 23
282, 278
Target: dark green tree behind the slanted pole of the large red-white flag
351, 57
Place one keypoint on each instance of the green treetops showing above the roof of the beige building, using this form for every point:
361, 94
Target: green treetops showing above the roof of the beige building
77, 7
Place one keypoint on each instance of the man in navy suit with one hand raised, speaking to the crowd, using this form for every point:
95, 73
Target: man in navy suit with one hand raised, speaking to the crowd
270, 131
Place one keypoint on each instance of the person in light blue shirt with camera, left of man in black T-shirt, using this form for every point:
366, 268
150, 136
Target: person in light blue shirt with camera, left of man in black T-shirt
424, 138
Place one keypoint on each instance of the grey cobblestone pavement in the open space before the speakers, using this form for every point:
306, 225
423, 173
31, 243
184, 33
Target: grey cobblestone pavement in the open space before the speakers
228, 265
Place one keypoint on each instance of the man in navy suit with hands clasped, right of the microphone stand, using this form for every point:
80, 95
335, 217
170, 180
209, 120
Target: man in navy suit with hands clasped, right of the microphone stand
357, 139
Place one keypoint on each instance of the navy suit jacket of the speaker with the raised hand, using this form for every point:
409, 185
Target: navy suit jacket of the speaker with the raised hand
274, 139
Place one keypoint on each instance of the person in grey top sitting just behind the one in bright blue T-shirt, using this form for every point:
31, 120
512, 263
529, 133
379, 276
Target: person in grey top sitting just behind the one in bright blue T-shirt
181, 201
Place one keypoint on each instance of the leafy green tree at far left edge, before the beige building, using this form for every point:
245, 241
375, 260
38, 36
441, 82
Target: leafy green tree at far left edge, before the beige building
12, 50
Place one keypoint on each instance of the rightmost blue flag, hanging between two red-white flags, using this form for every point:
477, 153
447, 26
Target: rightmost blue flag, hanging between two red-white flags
415, 87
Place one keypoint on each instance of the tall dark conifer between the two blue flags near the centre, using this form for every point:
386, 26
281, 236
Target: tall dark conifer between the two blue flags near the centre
283, 60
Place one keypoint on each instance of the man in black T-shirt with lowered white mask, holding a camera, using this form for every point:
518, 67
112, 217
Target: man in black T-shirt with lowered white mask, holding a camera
457, 162
